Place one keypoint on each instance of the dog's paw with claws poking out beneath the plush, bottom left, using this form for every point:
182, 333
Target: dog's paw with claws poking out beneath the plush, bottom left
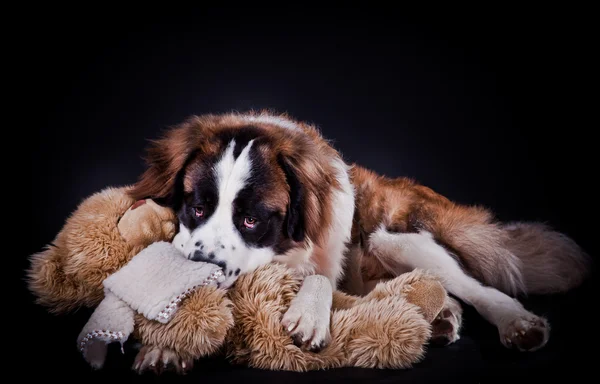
159, 360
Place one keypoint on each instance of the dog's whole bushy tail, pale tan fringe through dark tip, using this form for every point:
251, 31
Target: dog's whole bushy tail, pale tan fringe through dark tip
516, 258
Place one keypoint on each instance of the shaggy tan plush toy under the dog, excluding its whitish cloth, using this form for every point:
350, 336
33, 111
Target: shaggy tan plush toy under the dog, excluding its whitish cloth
388, 328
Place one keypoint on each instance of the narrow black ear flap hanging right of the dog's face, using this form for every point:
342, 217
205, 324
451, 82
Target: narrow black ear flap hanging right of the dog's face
294, 221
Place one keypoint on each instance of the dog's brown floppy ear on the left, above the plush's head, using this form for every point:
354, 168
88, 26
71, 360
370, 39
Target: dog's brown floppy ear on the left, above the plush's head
166, 159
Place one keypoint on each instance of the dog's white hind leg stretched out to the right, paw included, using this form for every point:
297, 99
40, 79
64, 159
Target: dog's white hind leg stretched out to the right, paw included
517, 327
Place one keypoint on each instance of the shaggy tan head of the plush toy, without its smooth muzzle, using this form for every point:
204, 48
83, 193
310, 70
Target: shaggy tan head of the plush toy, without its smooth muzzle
69, 272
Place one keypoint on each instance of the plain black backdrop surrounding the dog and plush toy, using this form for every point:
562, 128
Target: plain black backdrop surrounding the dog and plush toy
487, 107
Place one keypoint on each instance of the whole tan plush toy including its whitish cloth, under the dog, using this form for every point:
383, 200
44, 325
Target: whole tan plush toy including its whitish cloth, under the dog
120, 257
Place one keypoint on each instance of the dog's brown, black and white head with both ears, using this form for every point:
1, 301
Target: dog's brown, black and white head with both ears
245, 187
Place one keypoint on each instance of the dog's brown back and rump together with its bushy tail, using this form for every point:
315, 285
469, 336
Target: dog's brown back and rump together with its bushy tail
516, 258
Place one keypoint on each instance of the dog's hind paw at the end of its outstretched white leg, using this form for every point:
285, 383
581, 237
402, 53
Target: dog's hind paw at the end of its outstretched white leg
526, 333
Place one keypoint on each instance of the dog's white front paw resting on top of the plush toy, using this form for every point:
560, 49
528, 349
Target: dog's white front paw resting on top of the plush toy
308, 325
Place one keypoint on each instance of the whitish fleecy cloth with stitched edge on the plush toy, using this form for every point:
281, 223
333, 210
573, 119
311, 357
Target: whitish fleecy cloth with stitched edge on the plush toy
153, 283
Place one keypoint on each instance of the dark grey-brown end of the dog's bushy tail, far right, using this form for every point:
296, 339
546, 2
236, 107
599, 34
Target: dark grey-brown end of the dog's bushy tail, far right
551, 262
